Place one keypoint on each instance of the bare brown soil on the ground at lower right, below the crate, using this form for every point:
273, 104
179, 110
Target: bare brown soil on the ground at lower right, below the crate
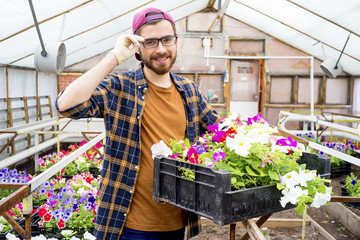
322, 217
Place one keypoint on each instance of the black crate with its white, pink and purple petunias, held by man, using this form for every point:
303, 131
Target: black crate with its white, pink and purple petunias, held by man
255, 161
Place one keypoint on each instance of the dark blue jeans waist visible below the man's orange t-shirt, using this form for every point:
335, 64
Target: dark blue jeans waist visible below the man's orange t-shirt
132, 234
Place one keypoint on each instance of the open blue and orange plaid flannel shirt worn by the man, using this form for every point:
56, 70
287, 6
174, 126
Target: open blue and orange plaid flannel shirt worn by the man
120, 100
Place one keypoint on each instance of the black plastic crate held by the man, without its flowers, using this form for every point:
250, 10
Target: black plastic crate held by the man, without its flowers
210, 195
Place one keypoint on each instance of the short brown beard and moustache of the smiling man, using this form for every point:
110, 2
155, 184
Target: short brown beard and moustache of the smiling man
159, 69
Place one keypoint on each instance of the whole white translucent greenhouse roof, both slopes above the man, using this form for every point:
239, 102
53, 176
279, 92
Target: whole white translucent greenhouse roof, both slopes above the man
90, 27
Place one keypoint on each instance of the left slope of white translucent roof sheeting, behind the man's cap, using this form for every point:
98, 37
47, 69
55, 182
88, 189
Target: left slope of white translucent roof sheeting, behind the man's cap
87, 28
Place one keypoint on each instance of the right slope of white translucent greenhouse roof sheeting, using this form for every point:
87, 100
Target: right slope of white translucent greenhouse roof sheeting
306, 29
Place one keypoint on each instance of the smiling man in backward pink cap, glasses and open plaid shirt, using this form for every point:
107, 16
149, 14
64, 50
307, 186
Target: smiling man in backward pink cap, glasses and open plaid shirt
139, 108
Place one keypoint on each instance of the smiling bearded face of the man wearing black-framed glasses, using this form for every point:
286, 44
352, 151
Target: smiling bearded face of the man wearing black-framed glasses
160, 58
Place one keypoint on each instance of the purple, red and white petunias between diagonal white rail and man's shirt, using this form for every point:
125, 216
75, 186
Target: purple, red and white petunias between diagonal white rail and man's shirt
71, 207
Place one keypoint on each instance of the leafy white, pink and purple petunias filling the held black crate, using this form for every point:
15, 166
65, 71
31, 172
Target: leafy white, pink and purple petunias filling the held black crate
254, 158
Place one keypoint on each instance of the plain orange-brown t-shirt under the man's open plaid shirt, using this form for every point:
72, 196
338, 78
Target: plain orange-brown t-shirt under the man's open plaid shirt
164, 118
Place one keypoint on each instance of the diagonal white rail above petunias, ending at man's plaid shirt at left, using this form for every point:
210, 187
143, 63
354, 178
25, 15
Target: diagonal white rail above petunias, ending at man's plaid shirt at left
41, 178
